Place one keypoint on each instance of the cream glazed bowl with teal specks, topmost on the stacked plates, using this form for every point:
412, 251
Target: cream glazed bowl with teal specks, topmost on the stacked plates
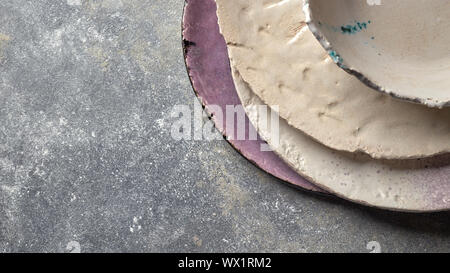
399, 47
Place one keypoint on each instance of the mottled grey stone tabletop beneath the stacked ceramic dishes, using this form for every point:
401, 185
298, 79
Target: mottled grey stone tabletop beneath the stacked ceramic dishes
87, 161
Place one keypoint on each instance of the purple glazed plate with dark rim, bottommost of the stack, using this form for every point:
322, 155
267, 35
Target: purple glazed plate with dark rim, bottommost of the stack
210, 73
